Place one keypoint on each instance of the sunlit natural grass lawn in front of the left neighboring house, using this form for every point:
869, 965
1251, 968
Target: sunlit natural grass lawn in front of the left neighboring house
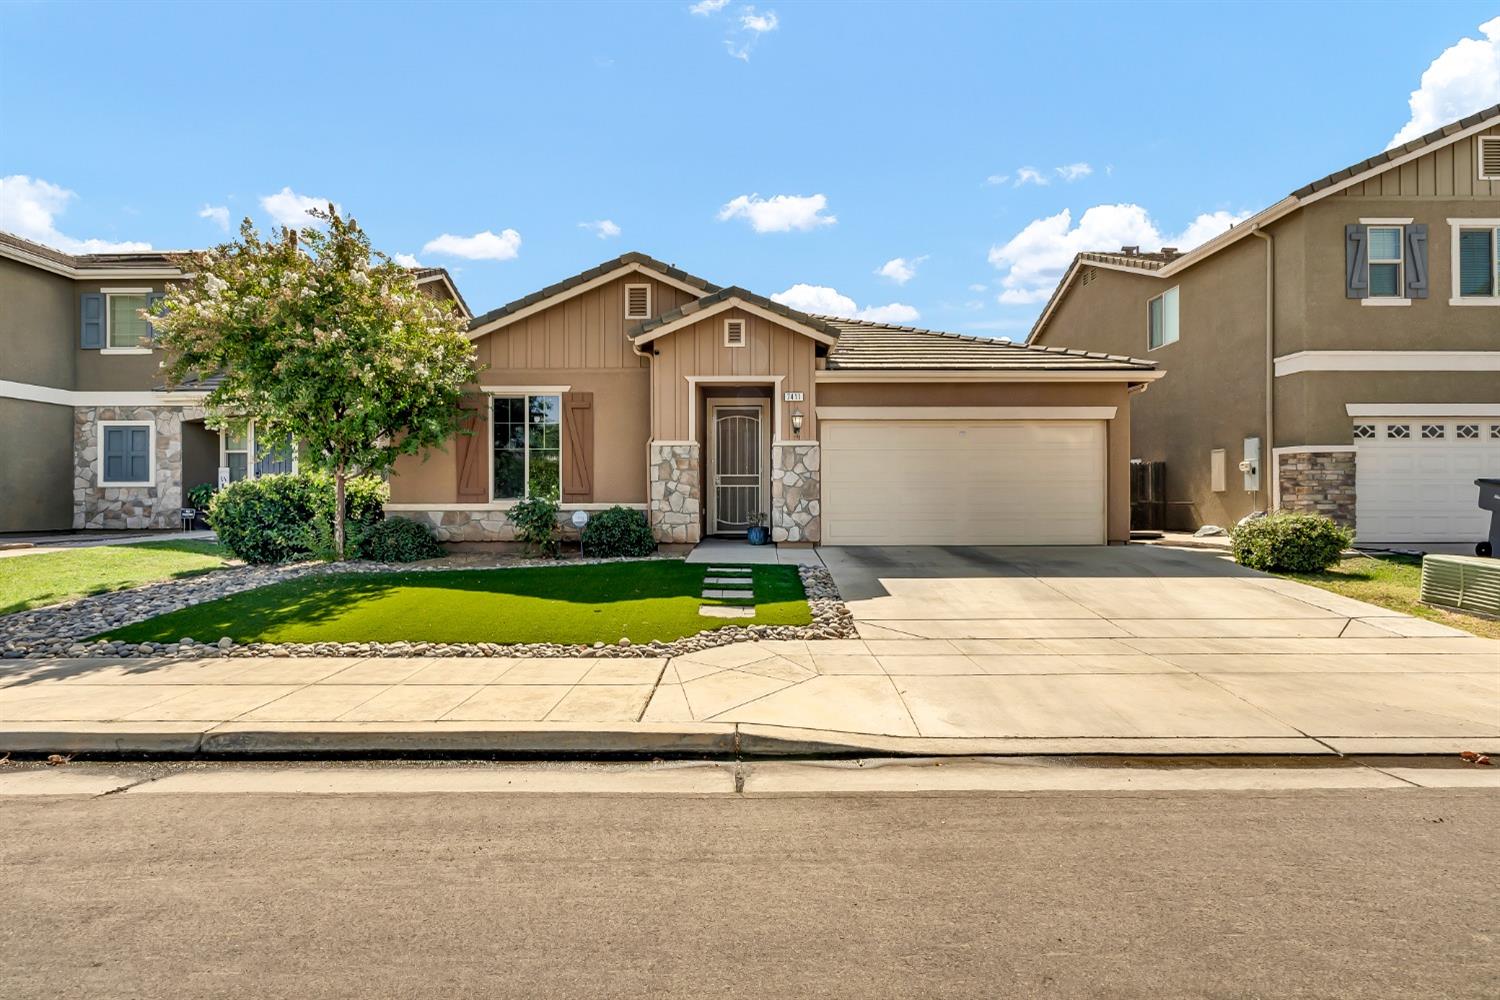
52, 578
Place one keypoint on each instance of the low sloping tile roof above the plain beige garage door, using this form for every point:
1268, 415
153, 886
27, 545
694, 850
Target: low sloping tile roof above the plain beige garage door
880, 347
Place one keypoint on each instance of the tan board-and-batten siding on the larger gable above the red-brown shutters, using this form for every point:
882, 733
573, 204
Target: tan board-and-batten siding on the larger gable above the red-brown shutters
586, 332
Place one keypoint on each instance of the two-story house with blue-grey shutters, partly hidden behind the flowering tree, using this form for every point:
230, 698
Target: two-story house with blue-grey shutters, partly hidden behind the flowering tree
89, 439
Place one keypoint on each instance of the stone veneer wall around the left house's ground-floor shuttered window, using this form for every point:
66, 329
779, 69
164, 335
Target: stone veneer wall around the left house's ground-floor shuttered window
130, 506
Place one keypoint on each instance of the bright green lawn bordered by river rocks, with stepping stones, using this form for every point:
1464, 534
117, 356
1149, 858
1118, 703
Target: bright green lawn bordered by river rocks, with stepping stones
568, 605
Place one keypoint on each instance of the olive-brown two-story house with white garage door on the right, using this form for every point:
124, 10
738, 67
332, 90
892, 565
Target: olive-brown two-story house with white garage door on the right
1339, 352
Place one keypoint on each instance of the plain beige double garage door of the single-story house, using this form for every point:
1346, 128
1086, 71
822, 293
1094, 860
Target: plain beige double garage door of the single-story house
979, 484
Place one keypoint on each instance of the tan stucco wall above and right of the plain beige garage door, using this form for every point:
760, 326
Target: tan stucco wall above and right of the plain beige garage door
832, 394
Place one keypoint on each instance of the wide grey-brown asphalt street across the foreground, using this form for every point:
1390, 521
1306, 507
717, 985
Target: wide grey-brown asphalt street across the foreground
1109, 894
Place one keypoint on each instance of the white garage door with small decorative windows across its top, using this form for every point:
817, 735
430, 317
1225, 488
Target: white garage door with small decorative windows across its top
1415, 479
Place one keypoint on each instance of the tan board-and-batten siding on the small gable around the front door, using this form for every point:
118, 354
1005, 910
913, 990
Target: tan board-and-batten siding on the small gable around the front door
700, 350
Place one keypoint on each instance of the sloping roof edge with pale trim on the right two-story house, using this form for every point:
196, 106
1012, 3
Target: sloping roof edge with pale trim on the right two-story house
1300, 199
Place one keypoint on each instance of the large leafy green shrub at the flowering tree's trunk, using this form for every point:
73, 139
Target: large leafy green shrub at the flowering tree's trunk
284, 518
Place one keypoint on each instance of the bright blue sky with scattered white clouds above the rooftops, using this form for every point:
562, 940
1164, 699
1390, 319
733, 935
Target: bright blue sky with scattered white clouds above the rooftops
874, 154
